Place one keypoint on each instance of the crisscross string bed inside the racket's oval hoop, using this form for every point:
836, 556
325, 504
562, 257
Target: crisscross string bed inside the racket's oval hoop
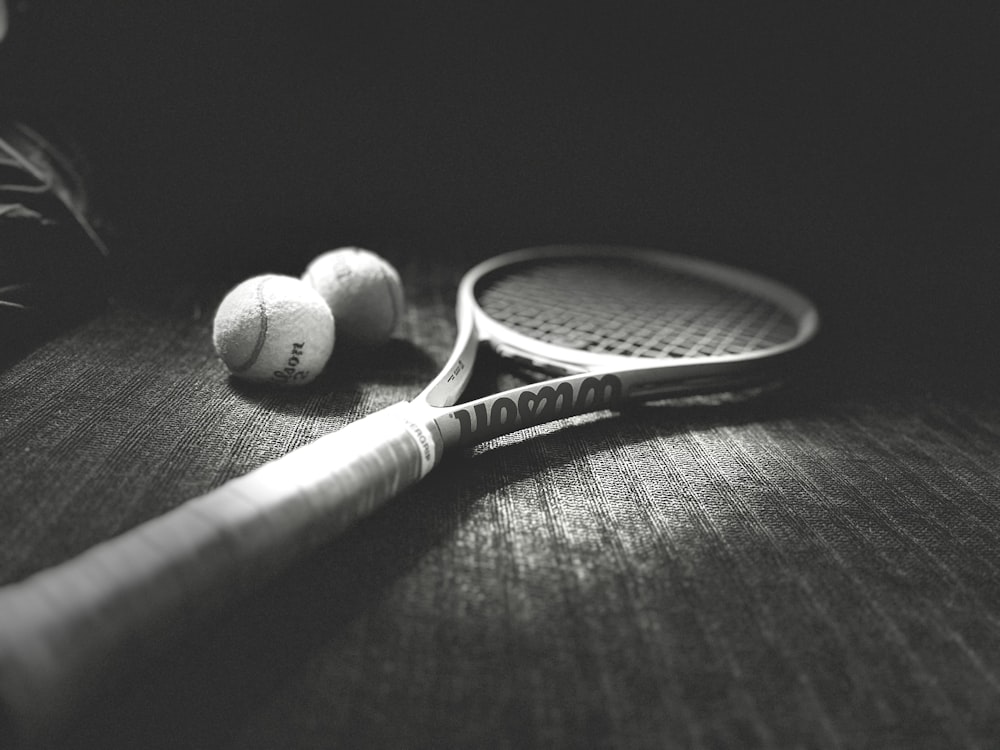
631, 308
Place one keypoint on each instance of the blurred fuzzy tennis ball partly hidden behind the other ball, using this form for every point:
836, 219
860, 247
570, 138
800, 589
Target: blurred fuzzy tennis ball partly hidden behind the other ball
364, 292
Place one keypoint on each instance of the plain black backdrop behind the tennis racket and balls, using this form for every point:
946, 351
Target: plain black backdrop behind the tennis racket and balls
847, 148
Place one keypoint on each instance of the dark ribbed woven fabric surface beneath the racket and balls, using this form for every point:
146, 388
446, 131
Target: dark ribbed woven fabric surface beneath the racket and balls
816, 568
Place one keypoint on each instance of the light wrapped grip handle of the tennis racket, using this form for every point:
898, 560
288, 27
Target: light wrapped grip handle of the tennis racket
66, 631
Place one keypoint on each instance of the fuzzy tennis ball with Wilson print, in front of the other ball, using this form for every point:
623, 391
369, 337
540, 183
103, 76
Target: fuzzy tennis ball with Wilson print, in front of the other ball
274, 329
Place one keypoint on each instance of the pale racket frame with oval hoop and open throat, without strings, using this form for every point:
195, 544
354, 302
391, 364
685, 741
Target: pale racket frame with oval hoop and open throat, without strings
626, 378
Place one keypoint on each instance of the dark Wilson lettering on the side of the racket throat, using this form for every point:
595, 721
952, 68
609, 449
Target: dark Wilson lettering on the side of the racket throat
484, 421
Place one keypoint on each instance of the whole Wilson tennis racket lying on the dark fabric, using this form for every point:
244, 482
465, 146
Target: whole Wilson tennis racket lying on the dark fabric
606, 325
